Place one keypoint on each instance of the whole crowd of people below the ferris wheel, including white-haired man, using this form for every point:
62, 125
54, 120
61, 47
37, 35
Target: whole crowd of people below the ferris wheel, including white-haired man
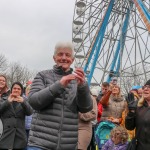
59, 111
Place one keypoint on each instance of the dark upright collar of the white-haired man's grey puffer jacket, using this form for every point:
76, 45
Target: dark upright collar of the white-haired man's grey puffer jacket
60, 71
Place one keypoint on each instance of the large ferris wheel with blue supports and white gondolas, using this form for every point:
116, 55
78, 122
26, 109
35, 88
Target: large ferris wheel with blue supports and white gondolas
112, 39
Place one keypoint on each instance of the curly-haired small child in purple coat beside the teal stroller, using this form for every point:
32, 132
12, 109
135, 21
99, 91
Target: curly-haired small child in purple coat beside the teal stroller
118, 139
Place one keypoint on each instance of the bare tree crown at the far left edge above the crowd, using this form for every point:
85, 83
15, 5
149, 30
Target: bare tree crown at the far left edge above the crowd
3, 63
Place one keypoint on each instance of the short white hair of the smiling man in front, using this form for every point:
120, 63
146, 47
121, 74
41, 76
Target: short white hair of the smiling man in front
67, 45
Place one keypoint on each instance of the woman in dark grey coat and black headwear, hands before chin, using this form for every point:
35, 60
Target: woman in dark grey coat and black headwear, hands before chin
13, 110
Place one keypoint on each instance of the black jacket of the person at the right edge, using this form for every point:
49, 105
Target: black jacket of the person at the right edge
140, 120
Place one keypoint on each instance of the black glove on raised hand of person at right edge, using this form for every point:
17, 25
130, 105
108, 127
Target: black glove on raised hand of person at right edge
132, 104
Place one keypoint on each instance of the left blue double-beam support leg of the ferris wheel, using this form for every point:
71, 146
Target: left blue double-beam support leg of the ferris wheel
98, 42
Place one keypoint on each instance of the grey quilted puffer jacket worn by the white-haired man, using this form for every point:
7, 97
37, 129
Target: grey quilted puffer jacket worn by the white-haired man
55, 123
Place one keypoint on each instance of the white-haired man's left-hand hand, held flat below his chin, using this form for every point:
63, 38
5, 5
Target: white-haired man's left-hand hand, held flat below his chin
65, 80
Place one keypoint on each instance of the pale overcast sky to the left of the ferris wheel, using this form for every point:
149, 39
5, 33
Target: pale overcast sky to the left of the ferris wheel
29, 30
